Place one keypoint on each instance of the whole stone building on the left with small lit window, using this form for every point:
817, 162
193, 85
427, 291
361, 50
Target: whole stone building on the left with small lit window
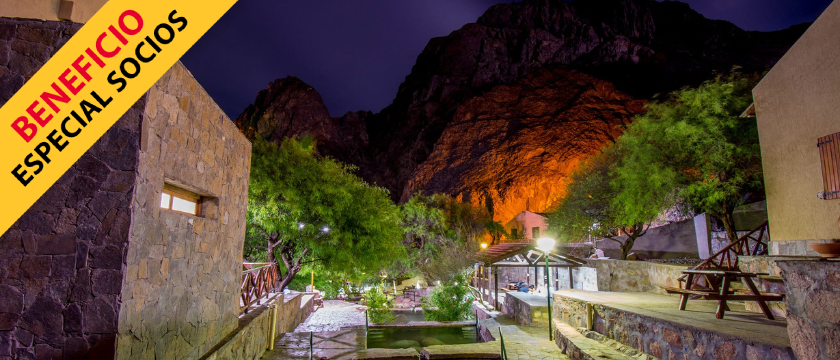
136, 251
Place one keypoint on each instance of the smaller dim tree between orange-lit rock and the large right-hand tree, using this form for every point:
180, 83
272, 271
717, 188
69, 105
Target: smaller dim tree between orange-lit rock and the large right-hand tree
588, 207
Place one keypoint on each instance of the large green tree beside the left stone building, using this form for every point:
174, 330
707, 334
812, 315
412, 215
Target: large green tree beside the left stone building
304, 208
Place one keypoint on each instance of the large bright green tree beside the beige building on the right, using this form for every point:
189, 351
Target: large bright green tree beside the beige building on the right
693, 147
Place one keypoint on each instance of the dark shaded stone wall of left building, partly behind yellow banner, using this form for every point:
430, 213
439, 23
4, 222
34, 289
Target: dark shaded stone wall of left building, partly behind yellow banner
61, 263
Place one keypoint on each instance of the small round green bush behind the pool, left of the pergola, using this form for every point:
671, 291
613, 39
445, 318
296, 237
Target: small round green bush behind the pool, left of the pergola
450, 301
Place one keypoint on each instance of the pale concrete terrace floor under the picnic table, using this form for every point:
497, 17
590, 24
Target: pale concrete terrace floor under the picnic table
698, 313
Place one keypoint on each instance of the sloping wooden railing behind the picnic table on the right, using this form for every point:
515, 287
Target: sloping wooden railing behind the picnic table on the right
750, 244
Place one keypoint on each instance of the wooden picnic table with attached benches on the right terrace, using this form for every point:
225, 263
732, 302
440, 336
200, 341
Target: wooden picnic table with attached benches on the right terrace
723, 292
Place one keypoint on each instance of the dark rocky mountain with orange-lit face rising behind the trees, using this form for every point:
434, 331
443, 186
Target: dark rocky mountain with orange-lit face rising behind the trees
499, 111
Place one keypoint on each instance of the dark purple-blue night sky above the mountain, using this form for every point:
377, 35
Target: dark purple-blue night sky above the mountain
356, 53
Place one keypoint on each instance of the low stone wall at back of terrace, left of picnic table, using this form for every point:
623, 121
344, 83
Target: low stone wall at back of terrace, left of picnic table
636, 276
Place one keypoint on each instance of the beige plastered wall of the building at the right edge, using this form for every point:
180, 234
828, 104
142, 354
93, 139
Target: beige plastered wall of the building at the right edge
796, 106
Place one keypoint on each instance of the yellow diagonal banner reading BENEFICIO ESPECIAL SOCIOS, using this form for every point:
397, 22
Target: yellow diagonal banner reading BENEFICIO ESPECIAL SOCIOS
87, 86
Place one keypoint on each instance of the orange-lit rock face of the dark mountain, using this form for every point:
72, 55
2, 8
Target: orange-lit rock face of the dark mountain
513, 147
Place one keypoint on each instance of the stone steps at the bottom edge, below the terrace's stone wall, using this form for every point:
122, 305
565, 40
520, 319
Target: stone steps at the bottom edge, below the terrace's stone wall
581, 347
